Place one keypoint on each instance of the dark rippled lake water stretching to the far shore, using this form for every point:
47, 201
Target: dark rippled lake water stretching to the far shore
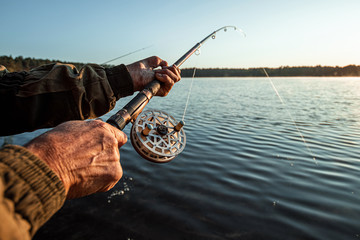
245, 172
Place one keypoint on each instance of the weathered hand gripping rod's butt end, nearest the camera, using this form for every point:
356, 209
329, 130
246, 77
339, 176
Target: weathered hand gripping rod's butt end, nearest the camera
84, 154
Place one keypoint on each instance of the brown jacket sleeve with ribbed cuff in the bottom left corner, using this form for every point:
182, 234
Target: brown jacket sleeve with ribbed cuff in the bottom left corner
30, 193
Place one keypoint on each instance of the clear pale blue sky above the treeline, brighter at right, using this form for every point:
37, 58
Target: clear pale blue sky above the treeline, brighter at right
278, 32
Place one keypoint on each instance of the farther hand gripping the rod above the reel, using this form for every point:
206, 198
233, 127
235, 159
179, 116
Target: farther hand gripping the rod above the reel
142, 72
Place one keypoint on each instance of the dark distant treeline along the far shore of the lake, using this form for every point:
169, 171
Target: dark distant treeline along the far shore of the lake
24, 64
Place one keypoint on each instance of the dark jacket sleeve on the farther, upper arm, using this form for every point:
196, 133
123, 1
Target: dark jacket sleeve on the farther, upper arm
51, 94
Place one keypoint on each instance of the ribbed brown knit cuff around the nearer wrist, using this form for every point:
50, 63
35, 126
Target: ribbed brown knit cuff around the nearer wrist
36, 190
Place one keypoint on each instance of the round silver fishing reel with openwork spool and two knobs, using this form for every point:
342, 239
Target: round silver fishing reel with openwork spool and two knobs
157, 136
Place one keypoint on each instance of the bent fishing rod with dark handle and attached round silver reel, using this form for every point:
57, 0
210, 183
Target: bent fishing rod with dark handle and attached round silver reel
155, 134
